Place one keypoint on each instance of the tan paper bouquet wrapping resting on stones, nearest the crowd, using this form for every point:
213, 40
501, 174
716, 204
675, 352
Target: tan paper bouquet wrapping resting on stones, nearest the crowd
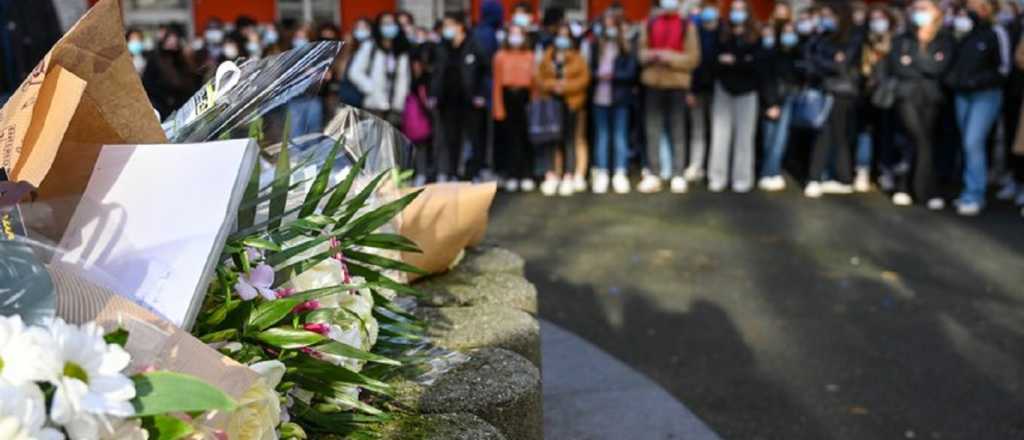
444, 221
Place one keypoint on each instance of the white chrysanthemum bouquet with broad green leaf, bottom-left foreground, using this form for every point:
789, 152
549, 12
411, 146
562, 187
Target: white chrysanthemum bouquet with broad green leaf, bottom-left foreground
71, 381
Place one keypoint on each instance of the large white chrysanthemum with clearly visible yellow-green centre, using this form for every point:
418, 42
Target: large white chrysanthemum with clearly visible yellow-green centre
92, 391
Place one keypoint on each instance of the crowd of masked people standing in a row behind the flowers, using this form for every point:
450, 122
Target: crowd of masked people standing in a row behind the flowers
921, 100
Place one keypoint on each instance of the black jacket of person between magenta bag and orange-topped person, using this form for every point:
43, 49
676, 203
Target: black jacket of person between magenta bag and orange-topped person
472, 65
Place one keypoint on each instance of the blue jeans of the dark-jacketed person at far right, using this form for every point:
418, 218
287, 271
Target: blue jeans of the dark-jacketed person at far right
976, 112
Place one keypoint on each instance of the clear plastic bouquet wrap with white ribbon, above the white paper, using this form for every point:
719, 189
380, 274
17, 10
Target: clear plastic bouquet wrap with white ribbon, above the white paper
239, 96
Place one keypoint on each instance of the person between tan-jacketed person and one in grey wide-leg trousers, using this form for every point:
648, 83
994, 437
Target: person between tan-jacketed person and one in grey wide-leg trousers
702, 91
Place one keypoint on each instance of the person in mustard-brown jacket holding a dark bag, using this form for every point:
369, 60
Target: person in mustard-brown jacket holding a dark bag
564, 75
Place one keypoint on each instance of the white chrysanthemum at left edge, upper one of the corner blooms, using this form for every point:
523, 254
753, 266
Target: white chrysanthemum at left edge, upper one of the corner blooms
26, 354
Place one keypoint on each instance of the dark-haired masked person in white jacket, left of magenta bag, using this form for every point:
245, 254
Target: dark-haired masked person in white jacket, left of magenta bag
381, 70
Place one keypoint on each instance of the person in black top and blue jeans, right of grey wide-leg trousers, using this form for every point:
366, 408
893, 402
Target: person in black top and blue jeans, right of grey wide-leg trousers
783, 83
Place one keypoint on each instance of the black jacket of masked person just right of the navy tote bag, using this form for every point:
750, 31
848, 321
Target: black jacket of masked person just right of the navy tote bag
839, 78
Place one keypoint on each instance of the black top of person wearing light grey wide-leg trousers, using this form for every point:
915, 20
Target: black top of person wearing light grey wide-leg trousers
742, 76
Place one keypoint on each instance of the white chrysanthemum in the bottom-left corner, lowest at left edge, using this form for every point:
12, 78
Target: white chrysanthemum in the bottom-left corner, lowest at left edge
23, 414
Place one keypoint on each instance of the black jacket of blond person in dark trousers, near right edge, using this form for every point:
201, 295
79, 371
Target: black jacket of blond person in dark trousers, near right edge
920, 71
